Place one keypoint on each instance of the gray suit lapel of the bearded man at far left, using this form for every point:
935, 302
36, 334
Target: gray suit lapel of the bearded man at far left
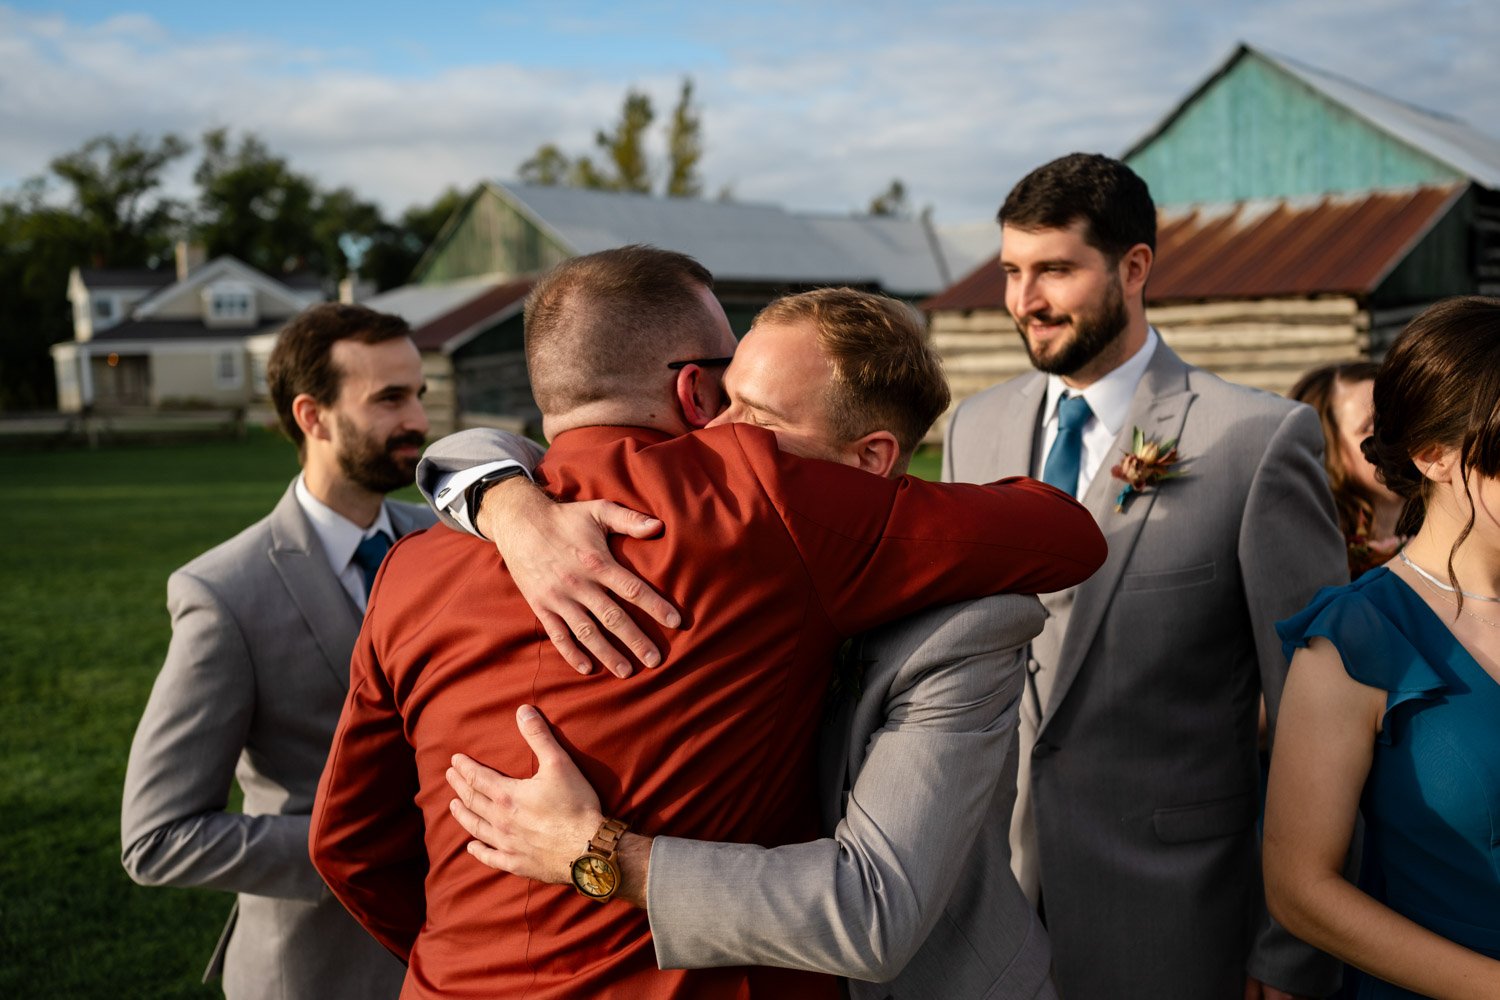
323, 602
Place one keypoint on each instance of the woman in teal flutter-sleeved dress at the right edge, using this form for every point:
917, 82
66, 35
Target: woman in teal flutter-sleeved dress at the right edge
1393, 704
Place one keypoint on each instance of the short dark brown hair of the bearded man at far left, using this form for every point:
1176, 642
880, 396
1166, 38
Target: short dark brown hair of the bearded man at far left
302, 361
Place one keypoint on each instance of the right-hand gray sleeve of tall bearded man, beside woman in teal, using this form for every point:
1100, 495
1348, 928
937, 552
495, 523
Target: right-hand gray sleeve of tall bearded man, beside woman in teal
1289, 548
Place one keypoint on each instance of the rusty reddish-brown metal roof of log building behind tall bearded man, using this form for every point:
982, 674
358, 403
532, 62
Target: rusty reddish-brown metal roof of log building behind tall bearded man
1262, 250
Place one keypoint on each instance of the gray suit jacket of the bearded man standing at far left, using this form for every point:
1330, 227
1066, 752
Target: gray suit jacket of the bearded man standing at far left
253, 687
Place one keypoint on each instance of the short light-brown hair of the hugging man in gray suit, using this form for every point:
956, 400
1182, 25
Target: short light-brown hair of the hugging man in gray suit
884, 376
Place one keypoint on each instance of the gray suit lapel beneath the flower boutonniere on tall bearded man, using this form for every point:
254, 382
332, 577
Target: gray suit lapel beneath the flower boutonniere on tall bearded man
1160, 410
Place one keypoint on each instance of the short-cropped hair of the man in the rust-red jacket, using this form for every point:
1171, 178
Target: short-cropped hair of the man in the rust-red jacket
604, 325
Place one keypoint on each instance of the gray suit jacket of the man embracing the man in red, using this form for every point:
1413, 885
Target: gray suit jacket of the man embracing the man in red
914, 890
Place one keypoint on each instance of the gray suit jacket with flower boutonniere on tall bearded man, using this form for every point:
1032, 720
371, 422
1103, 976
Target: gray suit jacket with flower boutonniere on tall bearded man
1142, 765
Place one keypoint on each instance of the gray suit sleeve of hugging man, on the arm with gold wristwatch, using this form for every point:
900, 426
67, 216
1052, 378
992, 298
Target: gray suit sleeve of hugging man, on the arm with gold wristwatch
862, 903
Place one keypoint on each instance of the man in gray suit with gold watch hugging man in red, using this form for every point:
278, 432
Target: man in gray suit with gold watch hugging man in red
911, 894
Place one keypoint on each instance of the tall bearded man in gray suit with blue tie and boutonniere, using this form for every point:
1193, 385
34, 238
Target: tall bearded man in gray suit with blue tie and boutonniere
1136, 821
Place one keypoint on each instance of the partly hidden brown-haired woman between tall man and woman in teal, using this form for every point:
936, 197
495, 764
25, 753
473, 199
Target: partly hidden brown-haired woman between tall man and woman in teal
1367, 509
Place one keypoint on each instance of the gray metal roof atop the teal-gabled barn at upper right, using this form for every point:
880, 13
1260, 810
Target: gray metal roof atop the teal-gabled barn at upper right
1445, 139
